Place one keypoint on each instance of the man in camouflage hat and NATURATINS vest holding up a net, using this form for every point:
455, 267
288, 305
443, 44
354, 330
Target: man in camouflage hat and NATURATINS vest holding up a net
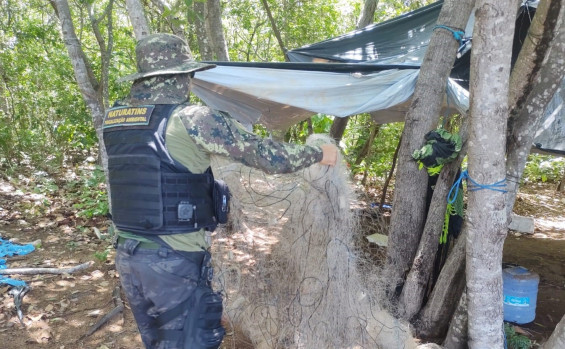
160, 270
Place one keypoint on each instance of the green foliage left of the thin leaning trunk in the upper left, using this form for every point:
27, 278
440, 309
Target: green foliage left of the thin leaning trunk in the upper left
44, 115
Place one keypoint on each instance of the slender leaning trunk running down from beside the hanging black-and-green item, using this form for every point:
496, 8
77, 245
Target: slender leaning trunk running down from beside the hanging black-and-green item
418, 278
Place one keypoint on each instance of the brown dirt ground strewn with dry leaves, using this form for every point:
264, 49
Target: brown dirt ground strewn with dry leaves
60, 310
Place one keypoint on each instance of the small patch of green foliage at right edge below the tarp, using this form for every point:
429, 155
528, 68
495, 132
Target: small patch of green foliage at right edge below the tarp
544, 168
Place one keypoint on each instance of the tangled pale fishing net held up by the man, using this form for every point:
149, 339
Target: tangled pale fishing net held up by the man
291, 266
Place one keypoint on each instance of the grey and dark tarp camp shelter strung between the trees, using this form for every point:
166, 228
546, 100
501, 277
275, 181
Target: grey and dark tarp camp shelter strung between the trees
373, 69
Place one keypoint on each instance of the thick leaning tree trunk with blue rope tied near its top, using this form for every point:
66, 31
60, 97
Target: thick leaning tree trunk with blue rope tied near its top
411, 184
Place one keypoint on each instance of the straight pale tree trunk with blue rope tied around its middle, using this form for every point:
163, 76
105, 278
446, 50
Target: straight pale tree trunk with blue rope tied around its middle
486, 218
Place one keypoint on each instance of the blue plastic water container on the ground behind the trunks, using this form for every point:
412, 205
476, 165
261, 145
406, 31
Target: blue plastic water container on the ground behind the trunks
520, 292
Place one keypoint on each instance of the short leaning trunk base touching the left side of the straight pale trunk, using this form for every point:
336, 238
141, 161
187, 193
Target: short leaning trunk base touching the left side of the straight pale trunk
433, 320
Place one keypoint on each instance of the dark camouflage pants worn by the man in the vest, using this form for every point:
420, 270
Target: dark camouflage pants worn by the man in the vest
154, 281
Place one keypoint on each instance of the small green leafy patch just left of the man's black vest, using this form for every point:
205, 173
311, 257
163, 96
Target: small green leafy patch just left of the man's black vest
89, 193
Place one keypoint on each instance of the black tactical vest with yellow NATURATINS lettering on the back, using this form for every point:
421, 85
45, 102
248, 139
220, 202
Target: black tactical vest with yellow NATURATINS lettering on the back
151, 193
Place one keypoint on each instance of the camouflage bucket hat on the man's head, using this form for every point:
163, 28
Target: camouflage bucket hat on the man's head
163, 54
